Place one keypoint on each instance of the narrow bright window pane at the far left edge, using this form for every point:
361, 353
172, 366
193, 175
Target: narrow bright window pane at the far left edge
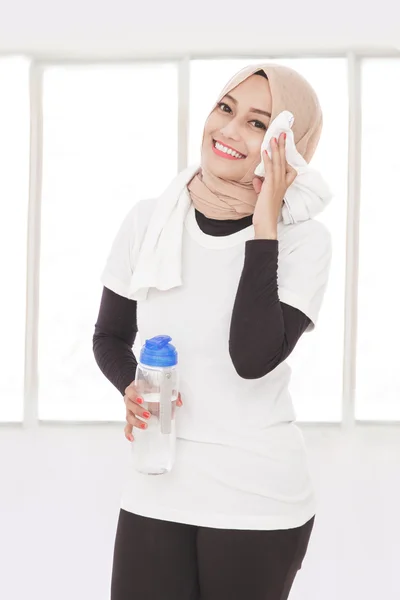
14, 191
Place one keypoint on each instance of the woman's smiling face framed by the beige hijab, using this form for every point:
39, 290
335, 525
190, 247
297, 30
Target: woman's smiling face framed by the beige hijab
235, 129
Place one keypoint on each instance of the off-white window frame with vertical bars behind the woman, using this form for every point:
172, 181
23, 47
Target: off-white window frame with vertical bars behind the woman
354, 63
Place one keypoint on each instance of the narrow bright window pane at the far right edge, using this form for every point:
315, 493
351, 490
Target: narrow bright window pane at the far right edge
378, 375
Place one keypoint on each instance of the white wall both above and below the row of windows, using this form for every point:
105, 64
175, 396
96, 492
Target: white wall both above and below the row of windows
60, 486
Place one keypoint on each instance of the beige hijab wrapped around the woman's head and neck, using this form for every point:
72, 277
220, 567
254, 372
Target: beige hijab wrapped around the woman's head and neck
224, 199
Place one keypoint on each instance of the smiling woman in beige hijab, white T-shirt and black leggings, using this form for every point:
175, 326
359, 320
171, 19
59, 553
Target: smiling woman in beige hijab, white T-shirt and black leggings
234, 517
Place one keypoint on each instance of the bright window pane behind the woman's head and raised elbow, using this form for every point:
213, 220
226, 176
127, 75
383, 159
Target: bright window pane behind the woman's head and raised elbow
316, 384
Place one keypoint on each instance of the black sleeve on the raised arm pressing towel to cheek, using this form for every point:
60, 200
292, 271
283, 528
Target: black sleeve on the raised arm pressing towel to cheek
263, 330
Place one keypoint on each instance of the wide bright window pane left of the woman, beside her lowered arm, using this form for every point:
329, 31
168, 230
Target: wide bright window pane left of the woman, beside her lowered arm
102, 129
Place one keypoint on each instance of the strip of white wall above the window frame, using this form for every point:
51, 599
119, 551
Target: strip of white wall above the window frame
125, 26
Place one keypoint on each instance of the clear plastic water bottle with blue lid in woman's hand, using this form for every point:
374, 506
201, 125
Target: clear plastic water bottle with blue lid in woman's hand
157, 383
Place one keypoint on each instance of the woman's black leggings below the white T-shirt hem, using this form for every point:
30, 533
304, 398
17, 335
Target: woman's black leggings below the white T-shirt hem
160, 560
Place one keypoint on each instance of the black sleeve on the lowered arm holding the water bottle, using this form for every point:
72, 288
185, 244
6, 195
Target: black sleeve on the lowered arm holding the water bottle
115, 333
